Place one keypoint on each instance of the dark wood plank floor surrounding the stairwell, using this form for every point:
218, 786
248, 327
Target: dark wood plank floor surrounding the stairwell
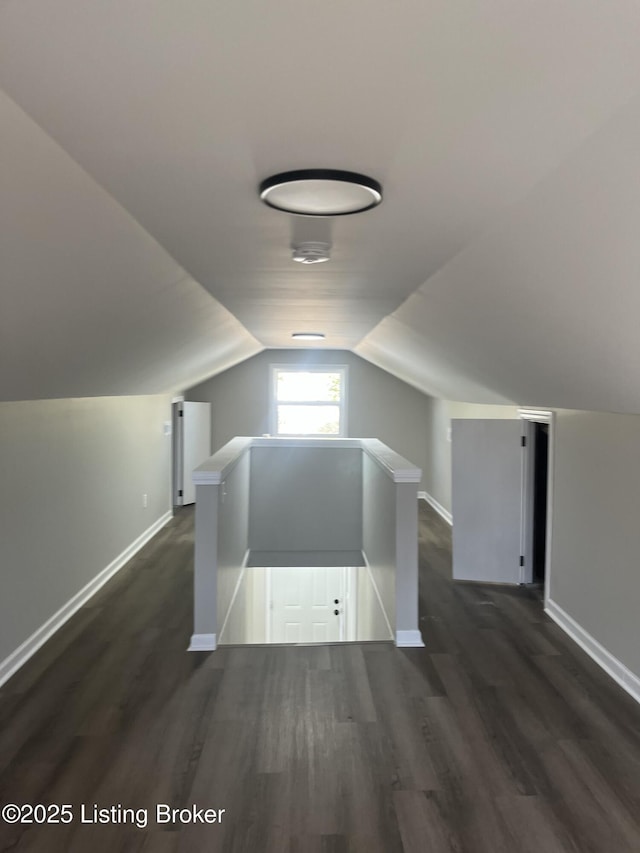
499, 736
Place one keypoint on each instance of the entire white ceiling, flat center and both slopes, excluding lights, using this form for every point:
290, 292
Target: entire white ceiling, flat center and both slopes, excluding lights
501, 266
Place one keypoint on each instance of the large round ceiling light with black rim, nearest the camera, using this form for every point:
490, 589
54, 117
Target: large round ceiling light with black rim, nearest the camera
320, 192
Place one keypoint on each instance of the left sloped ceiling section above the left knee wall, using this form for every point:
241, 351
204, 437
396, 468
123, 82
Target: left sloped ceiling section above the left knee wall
90, 304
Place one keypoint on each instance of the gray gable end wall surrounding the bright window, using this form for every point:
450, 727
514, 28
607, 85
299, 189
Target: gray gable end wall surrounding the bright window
379, 405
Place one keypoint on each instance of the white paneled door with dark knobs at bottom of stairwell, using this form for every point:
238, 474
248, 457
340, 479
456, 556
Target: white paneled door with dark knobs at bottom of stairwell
302, 605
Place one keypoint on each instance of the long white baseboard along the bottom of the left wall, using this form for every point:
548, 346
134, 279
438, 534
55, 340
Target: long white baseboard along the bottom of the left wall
21, 655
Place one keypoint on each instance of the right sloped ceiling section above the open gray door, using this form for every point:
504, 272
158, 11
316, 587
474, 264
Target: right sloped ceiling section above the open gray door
545, 307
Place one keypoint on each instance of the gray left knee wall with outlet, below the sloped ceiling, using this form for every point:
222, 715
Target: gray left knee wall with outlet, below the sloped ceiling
73, 475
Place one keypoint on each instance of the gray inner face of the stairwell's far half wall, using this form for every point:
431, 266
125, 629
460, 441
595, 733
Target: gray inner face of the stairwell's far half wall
305, 499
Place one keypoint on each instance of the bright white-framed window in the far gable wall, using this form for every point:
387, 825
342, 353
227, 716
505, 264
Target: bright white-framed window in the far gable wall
309, 400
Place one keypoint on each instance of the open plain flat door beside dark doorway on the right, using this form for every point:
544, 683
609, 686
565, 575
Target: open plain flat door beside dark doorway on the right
486, 500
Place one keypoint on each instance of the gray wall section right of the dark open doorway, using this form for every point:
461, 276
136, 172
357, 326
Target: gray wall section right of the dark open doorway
595, 574
